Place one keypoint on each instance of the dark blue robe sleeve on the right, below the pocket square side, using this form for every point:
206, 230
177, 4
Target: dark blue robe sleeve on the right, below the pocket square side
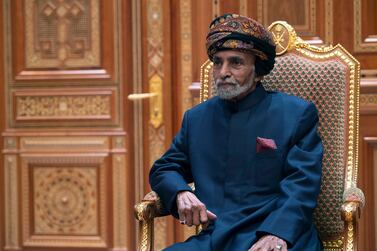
301, 183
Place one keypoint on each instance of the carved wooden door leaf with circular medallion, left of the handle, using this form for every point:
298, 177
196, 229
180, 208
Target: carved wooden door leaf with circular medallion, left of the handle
66, 71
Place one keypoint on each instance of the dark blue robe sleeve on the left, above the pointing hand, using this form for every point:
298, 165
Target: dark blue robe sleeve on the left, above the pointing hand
171, 173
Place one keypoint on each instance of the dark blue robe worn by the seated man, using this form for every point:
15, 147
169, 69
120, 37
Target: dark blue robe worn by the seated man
252, 193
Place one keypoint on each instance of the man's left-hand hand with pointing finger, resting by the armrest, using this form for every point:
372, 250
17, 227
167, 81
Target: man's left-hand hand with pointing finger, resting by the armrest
192, 211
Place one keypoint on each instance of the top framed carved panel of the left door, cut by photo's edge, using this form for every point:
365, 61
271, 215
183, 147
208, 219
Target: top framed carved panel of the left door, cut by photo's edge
60, 40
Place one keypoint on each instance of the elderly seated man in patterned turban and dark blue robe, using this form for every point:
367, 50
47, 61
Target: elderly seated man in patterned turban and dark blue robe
254, 155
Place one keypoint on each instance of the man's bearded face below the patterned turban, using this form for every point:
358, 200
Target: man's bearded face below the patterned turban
234, 73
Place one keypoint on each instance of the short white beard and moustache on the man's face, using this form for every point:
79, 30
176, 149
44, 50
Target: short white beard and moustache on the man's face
234, 90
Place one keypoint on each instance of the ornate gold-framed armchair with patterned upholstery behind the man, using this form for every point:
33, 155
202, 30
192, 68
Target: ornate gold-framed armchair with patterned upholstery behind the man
329, 77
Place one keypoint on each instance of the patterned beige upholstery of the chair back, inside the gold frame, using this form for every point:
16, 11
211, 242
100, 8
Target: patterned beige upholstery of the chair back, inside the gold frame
323, 83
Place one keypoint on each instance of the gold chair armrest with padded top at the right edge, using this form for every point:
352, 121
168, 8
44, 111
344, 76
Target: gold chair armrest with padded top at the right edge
354, 200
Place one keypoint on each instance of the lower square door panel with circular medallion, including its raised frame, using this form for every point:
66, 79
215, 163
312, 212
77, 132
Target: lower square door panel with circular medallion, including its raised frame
64, 200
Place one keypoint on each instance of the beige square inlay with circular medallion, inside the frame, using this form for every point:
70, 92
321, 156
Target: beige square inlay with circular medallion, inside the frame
65, 200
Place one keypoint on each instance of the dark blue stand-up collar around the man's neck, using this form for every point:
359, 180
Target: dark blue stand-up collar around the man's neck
252, 99
